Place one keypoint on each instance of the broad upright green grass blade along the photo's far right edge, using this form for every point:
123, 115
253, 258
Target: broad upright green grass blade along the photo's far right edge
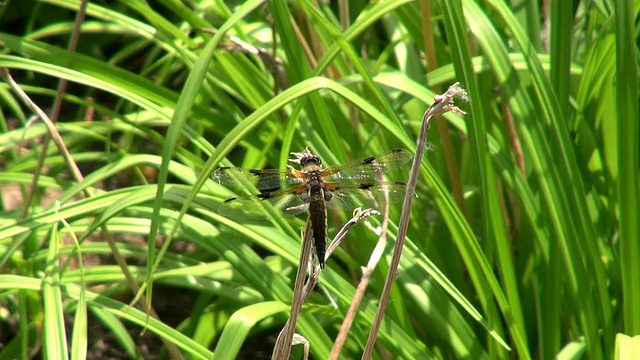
628, 147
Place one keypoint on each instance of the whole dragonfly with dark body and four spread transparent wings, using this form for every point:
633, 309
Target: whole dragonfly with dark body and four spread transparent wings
313, 189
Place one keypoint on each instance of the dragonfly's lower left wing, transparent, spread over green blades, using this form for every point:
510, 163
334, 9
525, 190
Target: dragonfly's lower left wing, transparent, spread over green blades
256, 207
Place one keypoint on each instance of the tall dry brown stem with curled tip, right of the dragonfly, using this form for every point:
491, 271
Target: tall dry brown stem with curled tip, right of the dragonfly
442, 104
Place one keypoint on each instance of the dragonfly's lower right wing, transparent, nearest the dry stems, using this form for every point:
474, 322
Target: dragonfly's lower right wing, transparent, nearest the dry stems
369, 195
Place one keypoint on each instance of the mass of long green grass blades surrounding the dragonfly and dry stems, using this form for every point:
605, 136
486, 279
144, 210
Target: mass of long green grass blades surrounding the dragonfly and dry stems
526, 221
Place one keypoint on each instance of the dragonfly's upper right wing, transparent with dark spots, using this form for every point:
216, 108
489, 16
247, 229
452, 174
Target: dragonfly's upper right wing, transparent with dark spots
369, 168
